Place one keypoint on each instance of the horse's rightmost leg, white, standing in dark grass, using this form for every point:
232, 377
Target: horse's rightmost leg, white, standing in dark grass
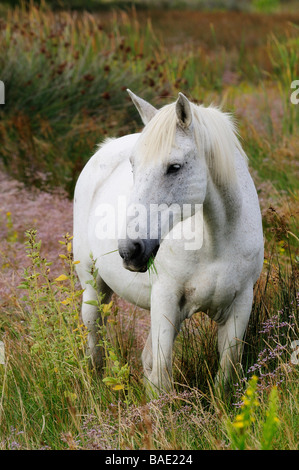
230, 338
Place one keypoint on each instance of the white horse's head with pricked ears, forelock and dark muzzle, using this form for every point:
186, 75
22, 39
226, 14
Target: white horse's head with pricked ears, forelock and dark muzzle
169, 179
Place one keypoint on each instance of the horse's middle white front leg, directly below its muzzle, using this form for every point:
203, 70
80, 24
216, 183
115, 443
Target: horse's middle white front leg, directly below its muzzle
157, 355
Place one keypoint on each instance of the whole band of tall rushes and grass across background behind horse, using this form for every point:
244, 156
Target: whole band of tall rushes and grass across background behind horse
66, 74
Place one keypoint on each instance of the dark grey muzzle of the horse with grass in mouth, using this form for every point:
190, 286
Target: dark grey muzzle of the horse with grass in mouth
137, 253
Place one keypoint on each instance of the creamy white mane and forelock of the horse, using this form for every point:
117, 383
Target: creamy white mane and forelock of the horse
215, 136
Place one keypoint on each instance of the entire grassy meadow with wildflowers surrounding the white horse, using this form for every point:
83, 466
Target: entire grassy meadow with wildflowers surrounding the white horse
65, 76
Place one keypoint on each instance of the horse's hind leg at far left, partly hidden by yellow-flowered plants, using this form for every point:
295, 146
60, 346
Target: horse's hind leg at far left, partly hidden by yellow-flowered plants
92, 319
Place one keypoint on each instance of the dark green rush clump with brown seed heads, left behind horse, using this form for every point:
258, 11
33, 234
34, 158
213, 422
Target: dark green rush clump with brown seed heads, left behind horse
65, 78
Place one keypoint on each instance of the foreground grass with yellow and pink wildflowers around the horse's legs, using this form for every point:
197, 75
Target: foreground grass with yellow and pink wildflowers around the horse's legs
51, 397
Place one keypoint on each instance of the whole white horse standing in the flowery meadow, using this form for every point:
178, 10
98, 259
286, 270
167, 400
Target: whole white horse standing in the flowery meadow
186, 156
